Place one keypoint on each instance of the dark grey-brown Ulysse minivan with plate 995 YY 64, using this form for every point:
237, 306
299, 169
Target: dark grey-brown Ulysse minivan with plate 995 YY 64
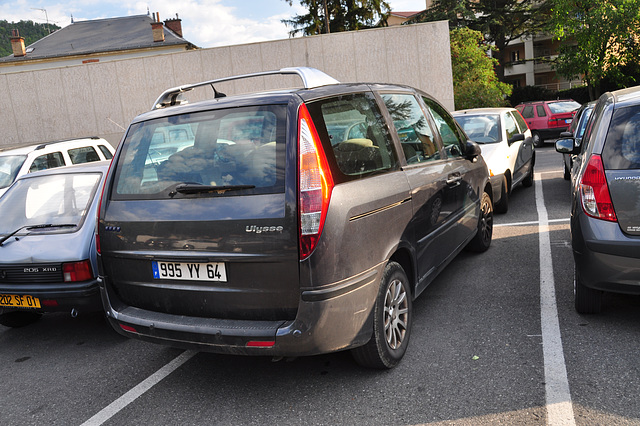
299, 222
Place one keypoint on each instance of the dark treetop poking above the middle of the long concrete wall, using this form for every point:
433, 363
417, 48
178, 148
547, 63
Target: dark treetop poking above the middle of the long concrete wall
341, 15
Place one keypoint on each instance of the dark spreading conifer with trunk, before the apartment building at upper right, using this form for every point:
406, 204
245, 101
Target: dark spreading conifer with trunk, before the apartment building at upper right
500, 21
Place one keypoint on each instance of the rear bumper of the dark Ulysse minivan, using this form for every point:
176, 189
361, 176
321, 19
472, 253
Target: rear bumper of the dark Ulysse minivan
336, 317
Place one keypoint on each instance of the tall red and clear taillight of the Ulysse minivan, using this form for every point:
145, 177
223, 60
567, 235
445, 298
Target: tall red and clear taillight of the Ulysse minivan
315, 183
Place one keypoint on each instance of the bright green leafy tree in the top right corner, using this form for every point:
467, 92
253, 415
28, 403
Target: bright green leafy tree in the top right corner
599, 38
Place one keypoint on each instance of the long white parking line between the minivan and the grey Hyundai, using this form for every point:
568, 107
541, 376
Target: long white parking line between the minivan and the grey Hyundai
558, 396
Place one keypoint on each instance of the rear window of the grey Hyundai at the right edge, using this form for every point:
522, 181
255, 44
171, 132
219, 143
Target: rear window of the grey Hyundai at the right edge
622, 147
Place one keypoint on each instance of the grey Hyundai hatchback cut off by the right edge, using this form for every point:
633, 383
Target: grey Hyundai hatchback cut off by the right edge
605, 219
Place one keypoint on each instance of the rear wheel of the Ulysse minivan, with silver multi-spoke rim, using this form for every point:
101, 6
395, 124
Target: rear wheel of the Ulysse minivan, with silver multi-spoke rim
392, 316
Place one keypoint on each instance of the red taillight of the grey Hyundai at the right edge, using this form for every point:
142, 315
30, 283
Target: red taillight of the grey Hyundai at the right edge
594, 191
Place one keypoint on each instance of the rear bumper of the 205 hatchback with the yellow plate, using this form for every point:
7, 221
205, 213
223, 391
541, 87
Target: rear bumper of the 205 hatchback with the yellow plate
84, 296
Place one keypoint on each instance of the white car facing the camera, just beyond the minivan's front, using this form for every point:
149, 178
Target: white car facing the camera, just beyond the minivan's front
507, 147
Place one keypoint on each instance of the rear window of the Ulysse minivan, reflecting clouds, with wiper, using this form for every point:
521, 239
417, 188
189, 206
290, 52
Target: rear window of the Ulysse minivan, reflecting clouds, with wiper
238, 151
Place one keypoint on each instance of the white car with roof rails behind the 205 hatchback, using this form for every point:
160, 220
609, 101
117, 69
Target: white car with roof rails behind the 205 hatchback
18, 161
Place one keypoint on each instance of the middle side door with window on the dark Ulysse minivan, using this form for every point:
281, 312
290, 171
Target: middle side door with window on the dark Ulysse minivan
433, 197
